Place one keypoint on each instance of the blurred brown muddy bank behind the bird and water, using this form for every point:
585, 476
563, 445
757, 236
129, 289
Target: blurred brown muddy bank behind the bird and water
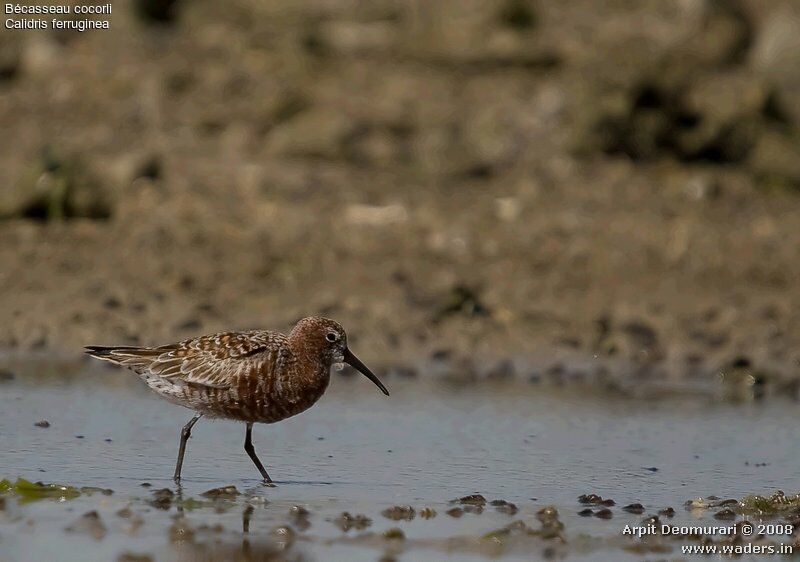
550, 188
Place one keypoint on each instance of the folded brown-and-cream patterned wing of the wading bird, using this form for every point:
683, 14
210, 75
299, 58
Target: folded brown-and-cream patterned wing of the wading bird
214, 361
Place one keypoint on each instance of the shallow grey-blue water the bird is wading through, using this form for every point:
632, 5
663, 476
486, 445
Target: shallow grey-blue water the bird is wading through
357, 451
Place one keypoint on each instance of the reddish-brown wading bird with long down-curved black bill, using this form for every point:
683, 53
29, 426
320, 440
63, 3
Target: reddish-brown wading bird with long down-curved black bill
254, 377
